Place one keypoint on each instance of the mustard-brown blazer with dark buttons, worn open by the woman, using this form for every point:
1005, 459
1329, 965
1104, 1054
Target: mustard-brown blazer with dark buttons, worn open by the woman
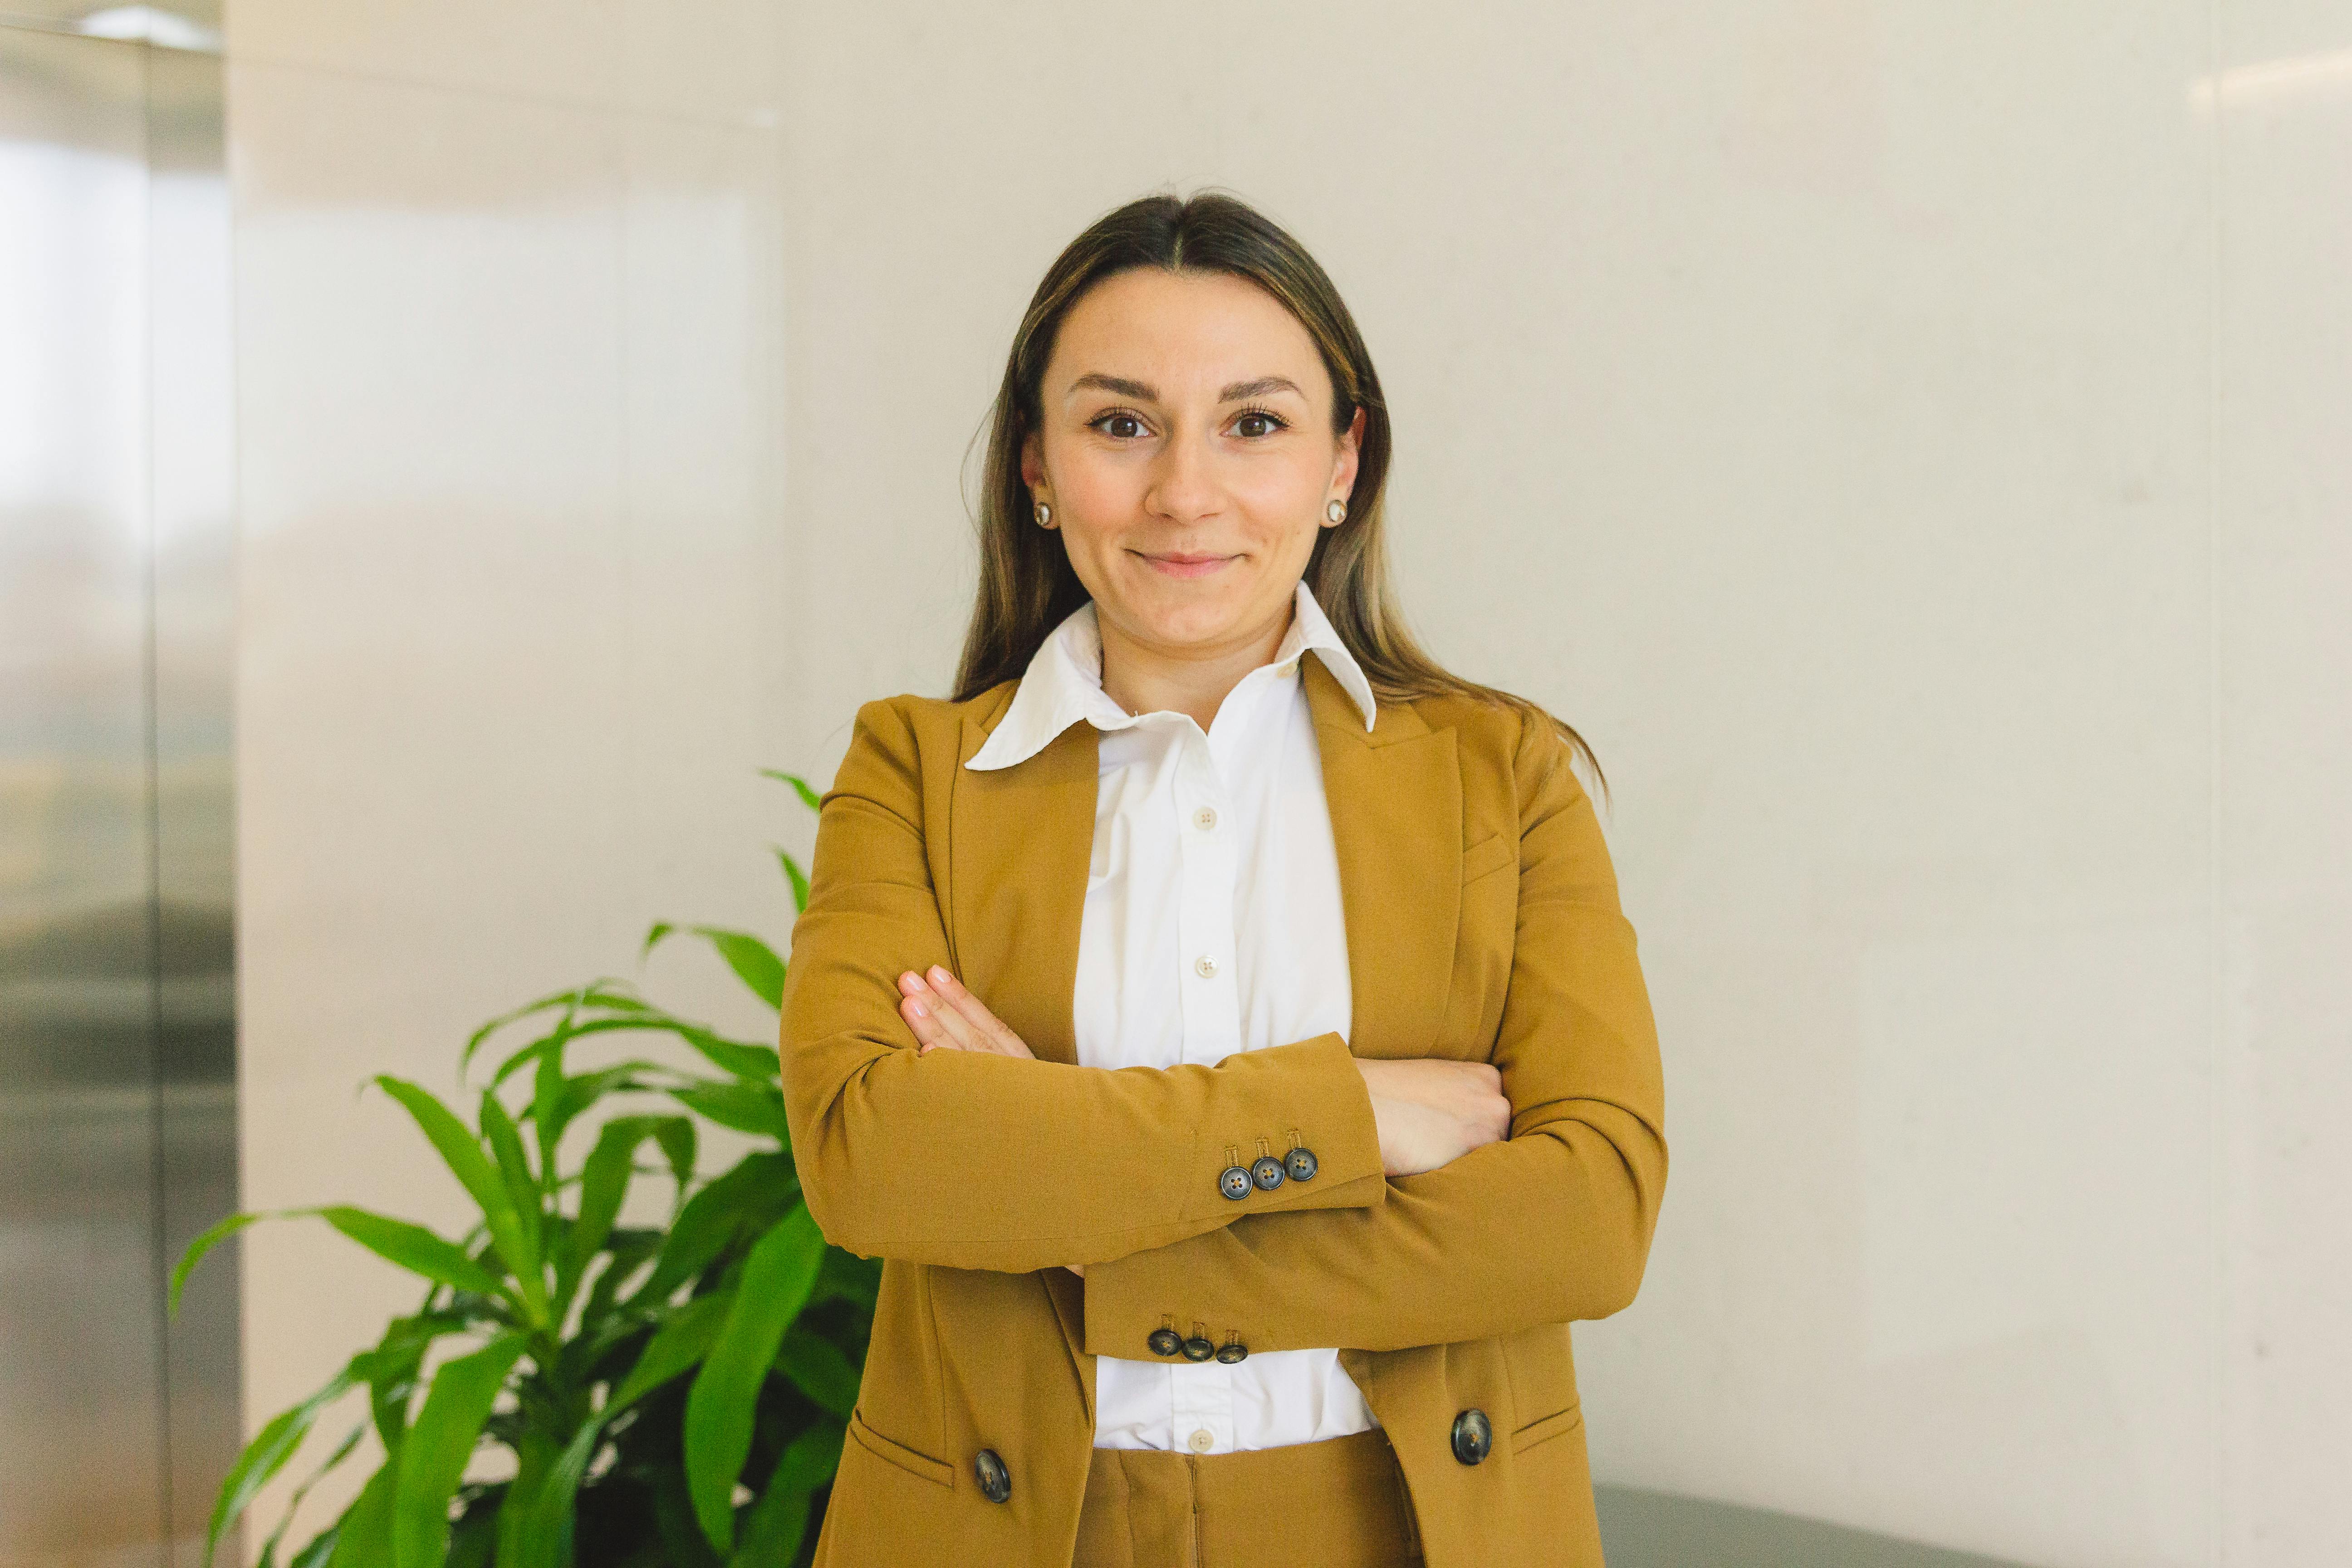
1483, 925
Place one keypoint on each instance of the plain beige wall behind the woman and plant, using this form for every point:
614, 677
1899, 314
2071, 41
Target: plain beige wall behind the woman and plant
1902, 436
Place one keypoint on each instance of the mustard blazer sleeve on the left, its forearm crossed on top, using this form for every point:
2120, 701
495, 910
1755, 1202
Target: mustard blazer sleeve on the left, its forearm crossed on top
994, 1162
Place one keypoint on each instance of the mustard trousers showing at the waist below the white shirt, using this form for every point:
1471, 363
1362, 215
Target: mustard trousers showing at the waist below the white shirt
1337, 1503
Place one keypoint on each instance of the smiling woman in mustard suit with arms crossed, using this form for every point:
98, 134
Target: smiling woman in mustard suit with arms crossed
1217, 1014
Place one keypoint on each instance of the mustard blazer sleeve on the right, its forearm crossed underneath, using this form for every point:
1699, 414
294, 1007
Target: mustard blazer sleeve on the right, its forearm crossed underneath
1546, 1226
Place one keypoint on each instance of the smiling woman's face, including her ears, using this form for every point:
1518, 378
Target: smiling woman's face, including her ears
1189, 457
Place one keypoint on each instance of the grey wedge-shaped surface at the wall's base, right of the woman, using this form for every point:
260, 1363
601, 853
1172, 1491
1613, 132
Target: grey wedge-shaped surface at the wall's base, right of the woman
1662, 1532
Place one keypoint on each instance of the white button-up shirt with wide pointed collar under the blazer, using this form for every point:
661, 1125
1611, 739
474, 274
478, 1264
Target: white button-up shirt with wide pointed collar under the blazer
1212, 925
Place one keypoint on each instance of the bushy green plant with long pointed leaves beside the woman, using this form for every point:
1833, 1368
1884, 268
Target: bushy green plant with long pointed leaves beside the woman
667, 1395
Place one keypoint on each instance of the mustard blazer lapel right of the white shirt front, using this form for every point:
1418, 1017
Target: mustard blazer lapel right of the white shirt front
1396, 803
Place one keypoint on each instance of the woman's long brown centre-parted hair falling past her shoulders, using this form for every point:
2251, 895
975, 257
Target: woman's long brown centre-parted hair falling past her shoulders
1027, 577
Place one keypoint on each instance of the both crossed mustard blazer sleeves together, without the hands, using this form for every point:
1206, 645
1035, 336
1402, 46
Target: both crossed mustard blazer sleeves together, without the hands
989, 1160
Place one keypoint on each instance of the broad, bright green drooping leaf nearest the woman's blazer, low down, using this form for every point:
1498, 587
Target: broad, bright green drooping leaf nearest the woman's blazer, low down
777, 1280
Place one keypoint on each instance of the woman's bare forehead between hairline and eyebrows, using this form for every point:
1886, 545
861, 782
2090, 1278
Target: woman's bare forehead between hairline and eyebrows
1184, 333
